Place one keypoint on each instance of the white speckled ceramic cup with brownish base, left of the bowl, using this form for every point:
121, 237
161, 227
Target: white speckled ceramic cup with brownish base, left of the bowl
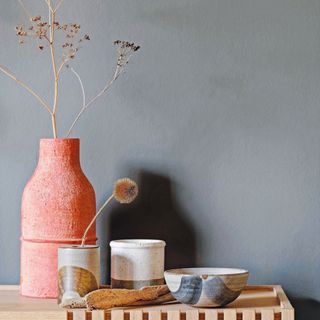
136, 263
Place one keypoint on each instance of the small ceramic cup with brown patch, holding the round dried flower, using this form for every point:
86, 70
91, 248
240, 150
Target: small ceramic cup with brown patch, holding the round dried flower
78, 272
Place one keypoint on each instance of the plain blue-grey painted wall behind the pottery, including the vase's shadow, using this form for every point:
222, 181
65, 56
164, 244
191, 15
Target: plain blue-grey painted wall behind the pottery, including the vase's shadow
217, 117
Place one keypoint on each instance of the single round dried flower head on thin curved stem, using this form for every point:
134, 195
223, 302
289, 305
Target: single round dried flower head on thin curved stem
125, 191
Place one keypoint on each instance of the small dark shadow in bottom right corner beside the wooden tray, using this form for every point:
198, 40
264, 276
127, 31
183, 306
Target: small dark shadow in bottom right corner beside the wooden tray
306, 309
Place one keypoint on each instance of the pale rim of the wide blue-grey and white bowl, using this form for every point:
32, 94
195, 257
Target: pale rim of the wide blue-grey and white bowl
177, 272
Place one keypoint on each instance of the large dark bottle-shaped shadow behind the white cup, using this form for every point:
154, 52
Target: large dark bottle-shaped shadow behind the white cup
156, 215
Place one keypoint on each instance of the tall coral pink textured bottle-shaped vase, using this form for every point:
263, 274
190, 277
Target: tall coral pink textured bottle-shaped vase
58, 203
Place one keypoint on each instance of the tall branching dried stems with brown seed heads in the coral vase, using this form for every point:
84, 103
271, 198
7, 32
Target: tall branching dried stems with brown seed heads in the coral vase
44, 32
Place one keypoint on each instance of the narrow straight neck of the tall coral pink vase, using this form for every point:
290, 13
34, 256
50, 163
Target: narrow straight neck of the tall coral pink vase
59, 151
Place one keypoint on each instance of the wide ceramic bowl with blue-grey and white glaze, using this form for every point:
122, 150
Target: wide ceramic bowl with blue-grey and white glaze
206, 287
